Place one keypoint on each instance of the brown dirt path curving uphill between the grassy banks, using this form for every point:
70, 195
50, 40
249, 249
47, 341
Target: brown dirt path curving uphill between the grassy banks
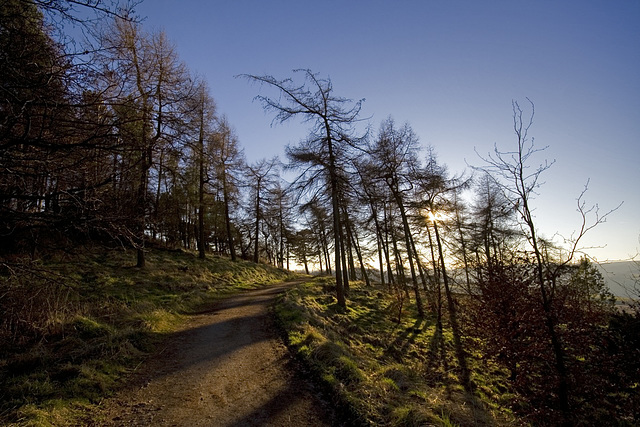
226, 368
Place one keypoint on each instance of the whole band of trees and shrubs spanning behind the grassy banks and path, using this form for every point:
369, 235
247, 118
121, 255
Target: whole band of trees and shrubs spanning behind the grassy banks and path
113, 142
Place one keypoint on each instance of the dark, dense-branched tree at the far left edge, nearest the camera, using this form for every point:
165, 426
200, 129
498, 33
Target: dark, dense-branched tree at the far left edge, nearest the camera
55, 134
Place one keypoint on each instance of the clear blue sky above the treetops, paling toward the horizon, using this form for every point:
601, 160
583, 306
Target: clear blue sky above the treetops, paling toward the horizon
451, 69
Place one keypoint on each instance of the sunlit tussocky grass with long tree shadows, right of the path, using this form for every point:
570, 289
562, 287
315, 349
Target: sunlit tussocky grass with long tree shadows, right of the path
381, 372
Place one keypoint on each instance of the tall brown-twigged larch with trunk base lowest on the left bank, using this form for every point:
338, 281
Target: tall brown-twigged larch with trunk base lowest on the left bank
145, 67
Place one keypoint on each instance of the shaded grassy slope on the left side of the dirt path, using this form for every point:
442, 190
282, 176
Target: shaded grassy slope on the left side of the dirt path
102, 318
